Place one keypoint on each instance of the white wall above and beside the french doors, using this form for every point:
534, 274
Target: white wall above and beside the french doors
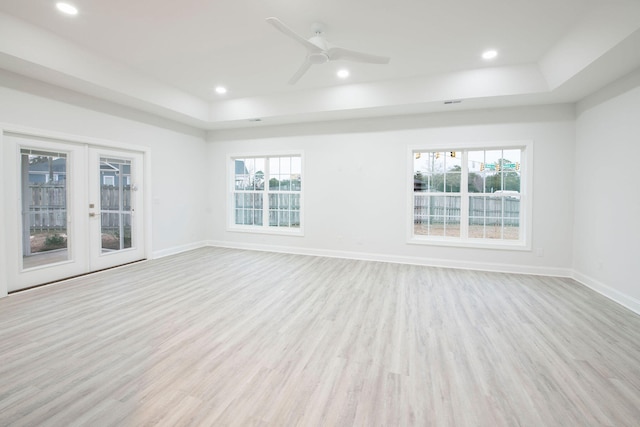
177, 164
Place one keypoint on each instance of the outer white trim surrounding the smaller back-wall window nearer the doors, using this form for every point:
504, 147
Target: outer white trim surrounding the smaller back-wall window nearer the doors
261, 229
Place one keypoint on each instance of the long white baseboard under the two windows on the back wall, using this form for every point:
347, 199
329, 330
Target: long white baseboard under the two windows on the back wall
430, 262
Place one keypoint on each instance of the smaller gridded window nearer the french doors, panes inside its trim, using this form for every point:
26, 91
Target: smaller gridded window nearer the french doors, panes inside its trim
267, 193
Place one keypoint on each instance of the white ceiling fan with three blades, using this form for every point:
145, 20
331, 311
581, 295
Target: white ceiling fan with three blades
320, 51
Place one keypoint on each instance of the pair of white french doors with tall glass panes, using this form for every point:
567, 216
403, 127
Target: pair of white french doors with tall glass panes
77, 208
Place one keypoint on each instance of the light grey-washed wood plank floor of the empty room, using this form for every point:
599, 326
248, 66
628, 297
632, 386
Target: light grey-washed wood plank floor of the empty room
228, 337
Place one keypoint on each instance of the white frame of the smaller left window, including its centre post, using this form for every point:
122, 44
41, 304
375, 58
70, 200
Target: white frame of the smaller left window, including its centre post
231, 192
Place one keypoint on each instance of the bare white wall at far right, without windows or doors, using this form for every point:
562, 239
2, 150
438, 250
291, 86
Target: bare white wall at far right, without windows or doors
607, 195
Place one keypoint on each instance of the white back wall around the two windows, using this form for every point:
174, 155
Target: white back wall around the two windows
349, 162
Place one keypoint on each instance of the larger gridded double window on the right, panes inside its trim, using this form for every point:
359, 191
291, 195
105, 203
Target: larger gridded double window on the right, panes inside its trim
470, 197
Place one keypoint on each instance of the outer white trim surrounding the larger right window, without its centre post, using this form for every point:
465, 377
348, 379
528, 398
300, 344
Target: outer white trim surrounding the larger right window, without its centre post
526, 200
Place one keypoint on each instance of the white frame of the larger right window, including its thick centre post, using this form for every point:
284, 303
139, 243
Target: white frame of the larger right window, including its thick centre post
526, 205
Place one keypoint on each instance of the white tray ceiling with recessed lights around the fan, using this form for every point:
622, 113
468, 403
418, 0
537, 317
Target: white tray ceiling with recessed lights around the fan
166, 57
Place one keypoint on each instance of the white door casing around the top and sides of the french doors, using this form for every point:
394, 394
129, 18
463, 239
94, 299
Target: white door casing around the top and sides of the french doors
5, 227
